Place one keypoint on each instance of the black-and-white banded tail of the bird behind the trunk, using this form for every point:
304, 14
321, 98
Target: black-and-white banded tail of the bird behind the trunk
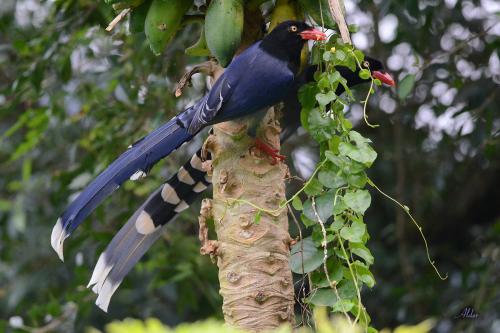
146, 226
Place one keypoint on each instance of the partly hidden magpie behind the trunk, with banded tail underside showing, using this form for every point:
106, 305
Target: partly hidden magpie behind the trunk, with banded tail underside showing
135, 237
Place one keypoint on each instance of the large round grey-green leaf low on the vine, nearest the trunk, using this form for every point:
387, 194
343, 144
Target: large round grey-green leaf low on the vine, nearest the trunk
305, 255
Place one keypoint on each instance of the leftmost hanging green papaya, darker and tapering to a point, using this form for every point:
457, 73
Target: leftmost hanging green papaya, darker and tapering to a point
162, 22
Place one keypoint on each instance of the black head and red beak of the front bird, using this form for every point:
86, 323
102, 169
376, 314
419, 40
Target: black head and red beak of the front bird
286, 40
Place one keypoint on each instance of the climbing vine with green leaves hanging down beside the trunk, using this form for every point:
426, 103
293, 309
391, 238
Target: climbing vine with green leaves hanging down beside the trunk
335, 255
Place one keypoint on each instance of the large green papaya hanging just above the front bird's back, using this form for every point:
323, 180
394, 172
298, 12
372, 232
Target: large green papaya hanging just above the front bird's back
223, 28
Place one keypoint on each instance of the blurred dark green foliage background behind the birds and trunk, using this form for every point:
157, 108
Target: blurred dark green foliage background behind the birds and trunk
72, 97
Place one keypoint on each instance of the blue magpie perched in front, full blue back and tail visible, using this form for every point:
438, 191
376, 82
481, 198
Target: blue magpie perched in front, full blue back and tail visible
258, 78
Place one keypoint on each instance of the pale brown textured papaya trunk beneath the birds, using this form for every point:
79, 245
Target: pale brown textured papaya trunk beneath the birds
253, 256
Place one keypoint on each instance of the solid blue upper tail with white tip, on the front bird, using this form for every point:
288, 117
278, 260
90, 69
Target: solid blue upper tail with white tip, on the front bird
132, 164
